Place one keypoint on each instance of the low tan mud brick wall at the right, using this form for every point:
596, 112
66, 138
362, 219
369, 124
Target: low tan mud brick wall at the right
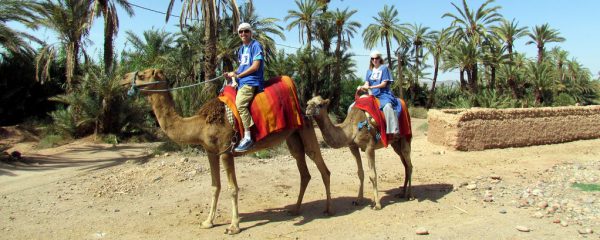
482, 128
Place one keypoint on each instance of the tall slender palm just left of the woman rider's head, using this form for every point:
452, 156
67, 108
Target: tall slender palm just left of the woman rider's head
345, 30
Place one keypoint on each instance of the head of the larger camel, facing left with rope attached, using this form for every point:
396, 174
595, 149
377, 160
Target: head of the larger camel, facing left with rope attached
149, 79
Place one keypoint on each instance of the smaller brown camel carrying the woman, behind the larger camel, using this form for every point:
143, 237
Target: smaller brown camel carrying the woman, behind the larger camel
347, 134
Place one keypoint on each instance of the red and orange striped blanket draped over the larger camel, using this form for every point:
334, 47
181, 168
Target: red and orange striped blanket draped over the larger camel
275, 109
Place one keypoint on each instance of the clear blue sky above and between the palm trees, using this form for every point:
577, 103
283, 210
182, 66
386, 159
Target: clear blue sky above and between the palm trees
576, 20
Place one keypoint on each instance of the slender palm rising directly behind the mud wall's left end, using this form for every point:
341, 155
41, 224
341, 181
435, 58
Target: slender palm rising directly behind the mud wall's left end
437, 46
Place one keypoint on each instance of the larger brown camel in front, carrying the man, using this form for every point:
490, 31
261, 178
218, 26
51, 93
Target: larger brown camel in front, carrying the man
210, 129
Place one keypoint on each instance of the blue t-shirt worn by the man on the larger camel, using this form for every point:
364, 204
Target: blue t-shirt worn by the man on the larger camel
246, 55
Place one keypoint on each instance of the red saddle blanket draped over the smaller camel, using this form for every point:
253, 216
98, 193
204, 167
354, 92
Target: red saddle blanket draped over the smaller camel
371, 105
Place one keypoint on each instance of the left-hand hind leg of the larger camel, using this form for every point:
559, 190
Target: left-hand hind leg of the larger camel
294, 144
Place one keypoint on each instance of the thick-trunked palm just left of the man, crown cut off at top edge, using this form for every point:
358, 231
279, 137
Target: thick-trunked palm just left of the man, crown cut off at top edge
210, 16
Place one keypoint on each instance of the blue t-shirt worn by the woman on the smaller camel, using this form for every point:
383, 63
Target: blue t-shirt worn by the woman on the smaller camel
376, 76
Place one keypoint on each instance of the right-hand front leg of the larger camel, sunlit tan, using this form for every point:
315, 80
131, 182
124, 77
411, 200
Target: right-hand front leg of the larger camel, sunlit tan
229, 164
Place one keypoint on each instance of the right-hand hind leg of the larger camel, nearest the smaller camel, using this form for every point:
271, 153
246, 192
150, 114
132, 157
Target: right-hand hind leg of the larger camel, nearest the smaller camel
313, 150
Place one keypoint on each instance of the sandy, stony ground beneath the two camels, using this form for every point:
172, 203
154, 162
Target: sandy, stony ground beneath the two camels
98, 191
